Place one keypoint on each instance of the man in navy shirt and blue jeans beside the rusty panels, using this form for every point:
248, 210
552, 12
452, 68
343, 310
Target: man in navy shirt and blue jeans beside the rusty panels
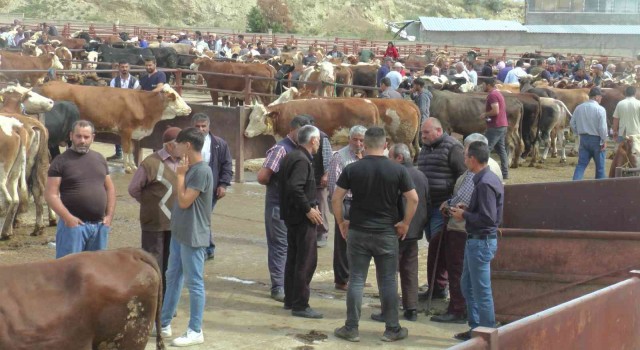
483, 216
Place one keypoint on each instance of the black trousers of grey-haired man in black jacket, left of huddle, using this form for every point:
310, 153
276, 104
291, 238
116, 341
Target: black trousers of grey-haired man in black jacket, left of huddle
302, 259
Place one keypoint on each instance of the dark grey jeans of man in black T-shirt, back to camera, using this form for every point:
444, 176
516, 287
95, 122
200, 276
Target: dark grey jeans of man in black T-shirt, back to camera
383, 247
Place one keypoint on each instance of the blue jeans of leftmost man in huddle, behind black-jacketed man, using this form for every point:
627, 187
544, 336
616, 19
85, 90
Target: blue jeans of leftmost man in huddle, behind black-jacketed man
276, 245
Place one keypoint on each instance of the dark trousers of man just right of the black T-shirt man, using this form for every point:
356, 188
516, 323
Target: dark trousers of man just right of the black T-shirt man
408, 268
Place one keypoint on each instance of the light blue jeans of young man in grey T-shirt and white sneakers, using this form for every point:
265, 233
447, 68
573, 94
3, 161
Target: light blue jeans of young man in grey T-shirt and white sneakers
185, 264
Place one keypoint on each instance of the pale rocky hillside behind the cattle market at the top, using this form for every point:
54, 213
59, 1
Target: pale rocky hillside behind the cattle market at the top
360, 18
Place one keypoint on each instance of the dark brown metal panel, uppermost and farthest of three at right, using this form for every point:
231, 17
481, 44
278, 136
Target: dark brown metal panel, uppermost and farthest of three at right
591, 205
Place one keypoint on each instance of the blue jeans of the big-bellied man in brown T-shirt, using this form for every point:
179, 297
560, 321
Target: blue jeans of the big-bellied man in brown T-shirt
90, 236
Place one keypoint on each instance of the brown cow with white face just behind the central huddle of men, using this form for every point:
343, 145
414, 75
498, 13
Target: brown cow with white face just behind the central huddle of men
331, 116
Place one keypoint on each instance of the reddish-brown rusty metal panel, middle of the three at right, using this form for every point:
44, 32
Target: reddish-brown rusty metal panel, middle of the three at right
536, 269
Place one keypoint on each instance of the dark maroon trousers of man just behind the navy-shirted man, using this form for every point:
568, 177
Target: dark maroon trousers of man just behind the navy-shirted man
454, 244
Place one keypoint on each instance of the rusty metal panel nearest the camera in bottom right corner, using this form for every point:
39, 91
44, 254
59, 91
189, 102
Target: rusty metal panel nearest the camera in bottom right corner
605, 319
